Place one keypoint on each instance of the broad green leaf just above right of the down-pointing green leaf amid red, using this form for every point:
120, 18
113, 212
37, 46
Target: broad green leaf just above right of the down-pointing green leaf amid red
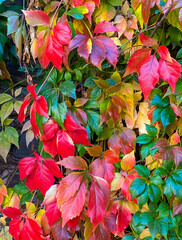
67, 88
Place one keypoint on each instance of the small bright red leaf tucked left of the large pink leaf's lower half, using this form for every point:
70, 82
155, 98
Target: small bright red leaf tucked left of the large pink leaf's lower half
52, 213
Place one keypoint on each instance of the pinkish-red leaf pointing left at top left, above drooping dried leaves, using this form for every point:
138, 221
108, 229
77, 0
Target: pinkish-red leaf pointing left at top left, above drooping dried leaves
36, 18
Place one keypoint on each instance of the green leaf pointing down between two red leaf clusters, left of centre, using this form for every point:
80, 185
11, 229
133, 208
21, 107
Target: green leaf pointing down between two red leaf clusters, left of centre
59, 112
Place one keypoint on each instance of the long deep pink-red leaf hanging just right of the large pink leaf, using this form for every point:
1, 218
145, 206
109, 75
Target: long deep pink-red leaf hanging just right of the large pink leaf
97, 200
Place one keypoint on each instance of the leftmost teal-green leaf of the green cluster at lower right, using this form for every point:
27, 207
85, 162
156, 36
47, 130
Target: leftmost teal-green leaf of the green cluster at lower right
137, 187
